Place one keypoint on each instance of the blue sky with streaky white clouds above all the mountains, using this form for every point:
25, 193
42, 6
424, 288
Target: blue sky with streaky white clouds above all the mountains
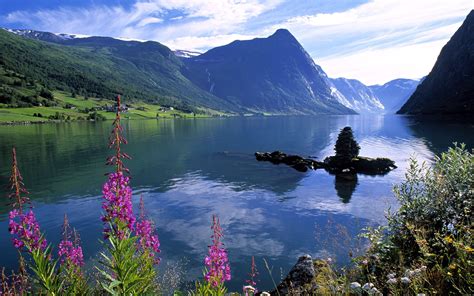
373, 41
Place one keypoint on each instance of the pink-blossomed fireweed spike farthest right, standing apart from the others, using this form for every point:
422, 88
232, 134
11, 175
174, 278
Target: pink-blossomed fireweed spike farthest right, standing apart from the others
217, 262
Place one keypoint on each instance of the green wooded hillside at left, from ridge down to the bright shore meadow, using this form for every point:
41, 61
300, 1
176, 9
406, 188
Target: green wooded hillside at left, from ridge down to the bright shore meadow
96, 68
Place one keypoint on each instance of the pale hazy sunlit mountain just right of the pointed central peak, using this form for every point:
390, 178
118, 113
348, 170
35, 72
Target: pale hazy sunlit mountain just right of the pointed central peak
357, 96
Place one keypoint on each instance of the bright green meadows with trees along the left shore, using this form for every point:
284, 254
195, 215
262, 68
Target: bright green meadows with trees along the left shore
26, 100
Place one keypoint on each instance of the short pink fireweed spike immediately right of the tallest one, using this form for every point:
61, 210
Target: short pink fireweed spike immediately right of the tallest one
148, 239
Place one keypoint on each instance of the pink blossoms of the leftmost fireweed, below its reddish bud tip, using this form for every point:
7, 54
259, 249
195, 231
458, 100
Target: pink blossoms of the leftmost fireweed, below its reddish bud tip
26, 231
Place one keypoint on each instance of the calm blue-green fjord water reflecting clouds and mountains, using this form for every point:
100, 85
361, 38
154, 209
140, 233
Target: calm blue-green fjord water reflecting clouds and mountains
187, 170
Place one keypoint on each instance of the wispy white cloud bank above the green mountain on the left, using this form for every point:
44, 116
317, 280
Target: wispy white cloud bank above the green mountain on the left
197, 19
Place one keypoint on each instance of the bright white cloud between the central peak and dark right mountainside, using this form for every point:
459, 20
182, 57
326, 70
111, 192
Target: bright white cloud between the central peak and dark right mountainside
382, 39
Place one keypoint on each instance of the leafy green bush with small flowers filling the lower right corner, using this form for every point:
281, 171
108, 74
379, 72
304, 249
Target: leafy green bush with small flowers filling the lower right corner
427, 247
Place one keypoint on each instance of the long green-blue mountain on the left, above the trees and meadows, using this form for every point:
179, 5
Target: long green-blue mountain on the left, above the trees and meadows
103, 67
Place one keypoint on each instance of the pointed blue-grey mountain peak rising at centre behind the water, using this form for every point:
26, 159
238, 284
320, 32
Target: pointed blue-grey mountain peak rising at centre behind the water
274, 75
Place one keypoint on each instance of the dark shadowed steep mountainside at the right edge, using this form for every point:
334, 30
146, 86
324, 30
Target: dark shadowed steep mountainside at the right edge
449, 88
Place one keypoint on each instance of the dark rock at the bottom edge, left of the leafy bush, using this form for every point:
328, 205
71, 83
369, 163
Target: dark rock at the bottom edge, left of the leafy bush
301, 275
